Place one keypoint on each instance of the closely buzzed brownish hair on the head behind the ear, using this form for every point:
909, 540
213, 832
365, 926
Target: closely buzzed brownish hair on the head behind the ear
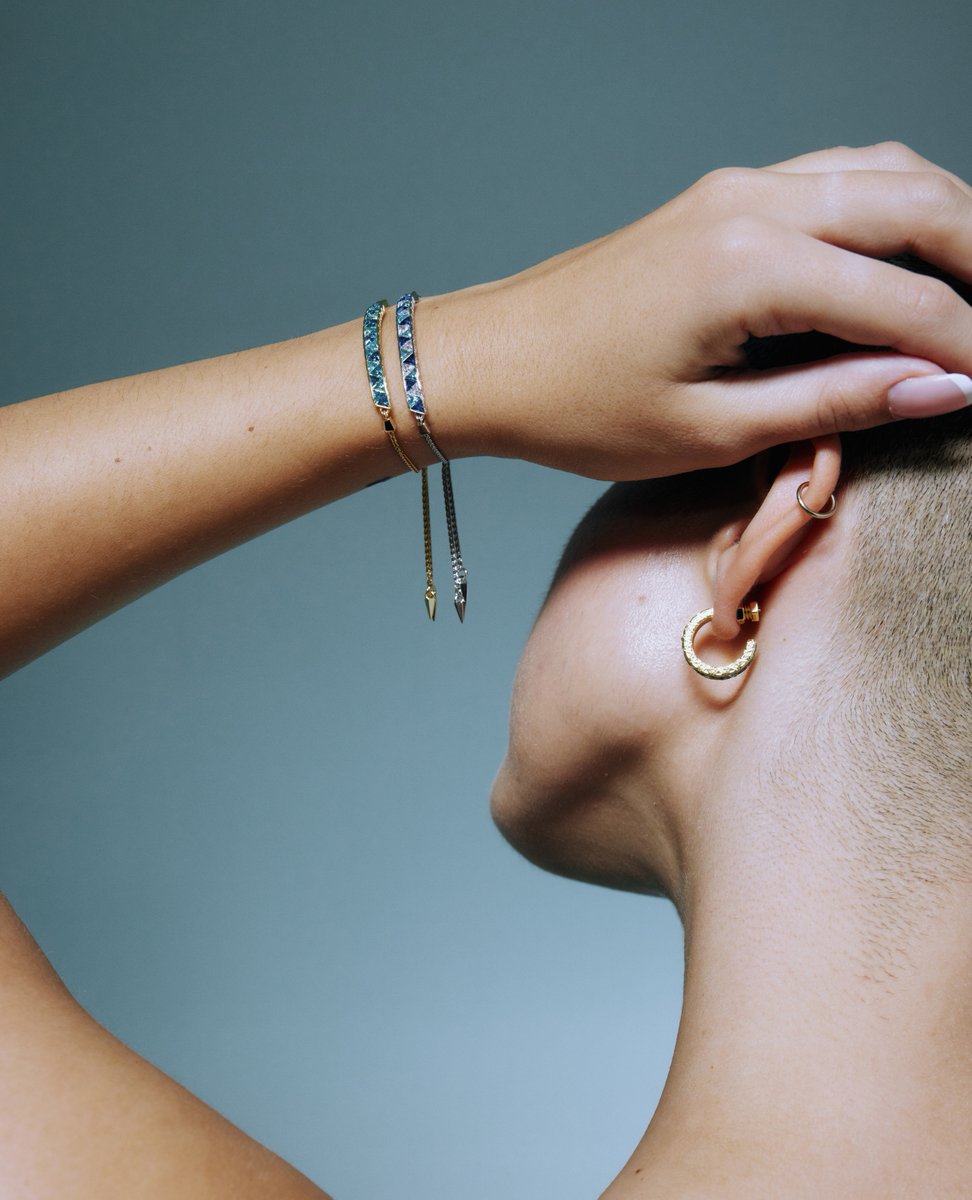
883, 749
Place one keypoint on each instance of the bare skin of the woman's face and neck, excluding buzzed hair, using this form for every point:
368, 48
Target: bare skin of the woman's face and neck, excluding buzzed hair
819, 1054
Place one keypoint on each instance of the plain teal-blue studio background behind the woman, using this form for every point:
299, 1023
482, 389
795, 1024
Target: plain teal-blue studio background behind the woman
247, 817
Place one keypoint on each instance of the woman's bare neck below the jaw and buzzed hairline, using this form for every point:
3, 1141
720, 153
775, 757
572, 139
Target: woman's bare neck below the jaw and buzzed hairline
826, 1039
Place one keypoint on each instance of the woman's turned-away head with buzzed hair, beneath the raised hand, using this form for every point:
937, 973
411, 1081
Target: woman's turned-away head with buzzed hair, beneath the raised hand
861, 691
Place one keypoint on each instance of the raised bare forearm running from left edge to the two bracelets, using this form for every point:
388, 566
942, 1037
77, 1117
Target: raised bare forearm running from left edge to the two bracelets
112, 489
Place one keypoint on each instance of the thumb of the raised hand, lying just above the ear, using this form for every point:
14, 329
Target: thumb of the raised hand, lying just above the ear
751, 411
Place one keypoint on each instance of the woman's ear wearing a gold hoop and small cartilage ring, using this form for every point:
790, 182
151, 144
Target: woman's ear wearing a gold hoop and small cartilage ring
765, 544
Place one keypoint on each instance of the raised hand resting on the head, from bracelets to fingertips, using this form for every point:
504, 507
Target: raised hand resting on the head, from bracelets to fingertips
623, 358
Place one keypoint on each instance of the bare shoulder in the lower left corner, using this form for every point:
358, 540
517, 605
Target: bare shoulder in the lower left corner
85, 1117
